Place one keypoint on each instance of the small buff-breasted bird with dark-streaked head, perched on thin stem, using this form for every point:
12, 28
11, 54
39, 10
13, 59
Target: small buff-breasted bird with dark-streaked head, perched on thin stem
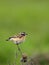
17, 39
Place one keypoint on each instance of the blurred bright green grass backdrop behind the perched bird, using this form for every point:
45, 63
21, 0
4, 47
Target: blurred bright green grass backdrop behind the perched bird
29, 16
